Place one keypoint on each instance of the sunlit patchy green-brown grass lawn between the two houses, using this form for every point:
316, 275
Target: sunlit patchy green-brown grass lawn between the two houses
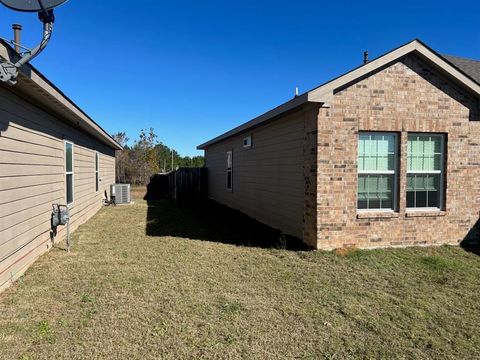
136, 287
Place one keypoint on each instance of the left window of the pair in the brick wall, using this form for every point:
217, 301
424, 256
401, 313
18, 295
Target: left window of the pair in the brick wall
377, 168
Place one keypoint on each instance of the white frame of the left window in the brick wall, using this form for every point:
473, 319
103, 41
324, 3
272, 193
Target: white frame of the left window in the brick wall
395, 172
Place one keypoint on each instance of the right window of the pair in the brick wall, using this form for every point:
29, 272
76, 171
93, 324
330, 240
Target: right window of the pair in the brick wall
425, 171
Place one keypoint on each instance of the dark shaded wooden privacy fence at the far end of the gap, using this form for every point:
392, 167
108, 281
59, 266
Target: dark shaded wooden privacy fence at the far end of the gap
182, 184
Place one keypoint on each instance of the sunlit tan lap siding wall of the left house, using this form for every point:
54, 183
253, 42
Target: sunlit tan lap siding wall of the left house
32, 179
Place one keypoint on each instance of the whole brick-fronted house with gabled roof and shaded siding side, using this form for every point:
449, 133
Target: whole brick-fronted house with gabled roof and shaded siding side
385, 155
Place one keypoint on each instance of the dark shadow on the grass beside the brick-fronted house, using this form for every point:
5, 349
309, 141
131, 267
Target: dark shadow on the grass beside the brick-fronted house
209, 221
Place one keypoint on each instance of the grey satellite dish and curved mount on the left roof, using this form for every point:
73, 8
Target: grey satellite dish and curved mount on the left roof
44, 8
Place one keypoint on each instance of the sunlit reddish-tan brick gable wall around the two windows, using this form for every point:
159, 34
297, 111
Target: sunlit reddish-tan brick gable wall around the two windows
408, 96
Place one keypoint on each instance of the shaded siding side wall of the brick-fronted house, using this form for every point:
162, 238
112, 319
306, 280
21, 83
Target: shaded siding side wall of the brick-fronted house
268, 179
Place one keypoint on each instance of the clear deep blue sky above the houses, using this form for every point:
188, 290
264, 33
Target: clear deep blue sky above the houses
194, 69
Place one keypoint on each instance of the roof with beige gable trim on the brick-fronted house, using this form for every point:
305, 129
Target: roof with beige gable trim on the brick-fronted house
460, 70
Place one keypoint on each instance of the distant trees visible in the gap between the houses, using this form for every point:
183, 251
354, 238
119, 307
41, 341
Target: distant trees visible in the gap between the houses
136, 163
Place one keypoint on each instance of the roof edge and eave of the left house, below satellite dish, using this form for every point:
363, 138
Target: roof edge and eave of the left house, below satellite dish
35, 86
